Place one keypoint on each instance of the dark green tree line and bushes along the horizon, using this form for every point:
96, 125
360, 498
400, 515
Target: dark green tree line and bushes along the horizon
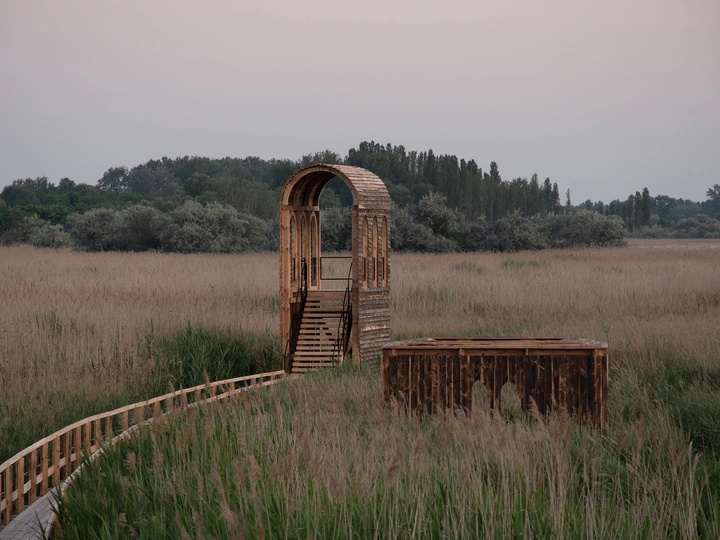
187, 204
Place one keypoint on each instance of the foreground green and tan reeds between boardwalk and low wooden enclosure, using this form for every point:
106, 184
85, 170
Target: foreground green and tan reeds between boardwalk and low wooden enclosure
320, 457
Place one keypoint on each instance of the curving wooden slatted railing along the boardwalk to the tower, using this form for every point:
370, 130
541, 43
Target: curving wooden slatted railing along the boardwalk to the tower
39, 468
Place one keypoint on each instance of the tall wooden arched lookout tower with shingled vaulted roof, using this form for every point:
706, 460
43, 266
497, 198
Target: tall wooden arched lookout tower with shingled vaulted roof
322, 321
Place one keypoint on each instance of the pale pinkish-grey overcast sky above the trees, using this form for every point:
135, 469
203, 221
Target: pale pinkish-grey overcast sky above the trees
604, 97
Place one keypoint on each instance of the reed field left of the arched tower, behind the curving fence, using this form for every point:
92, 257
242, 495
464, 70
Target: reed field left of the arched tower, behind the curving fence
84, 333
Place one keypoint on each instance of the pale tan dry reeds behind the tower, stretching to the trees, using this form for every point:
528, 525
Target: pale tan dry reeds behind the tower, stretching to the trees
74, 326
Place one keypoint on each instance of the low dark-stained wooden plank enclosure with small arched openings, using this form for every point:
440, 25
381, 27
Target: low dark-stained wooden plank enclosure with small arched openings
436, 374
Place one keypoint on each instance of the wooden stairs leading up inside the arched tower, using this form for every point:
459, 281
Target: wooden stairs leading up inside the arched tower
321, 337
